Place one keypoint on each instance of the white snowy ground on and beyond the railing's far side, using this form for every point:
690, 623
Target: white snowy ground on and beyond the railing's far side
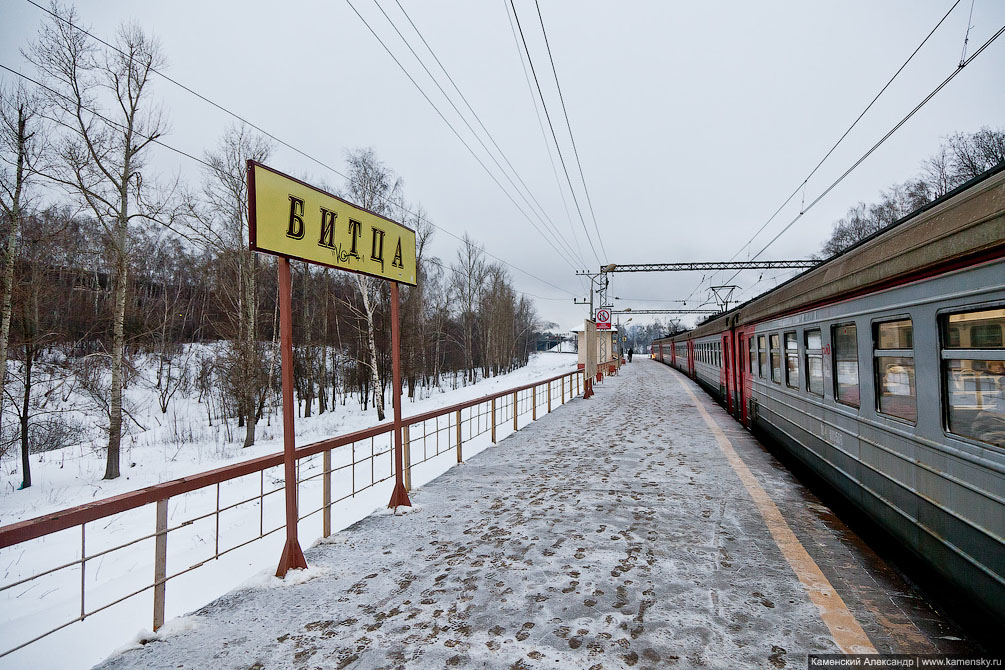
165, 446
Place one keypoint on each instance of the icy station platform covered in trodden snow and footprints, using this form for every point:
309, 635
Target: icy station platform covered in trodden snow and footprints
624, 531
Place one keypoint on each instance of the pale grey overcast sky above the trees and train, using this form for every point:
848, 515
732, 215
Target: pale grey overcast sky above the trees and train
693, 121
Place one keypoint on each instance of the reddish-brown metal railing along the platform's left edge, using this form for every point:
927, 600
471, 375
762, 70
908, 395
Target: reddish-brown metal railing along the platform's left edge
350, 466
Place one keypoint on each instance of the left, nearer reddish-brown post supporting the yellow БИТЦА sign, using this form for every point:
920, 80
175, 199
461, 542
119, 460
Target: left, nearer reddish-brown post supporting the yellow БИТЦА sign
293, 556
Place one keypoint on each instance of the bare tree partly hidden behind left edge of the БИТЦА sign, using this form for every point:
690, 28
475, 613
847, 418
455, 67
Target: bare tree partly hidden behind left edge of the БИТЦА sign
220, 220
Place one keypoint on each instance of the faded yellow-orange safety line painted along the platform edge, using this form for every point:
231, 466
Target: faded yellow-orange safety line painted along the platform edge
844, 626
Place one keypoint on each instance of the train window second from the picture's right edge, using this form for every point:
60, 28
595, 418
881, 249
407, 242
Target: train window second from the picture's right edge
897, 395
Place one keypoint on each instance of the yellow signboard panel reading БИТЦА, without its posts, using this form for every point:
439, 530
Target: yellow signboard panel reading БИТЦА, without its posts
293, 219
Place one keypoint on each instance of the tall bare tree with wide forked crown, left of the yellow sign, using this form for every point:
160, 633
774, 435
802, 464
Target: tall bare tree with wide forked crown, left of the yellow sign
103, 154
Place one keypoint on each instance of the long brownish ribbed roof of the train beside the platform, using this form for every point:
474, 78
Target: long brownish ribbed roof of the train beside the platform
963, 227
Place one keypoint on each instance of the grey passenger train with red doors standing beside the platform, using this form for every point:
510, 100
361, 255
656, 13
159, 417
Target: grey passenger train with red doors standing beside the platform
883, 370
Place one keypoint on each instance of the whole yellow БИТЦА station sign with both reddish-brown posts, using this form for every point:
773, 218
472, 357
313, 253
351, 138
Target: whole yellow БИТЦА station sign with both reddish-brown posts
292, 219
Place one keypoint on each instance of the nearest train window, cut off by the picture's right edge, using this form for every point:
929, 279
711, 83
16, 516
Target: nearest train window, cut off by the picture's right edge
975, 378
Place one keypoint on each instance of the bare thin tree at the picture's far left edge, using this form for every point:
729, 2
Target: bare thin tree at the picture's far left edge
21, 153
